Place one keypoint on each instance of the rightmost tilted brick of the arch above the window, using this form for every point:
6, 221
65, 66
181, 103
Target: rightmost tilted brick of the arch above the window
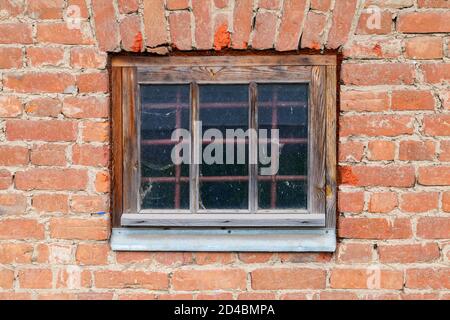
343, 14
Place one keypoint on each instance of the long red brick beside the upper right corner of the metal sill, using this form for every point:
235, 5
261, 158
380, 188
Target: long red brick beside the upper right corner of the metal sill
374, 228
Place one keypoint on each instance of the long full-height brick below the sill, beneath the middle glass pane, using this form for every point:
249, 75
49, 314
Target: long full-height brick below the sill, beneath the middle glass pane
222, 279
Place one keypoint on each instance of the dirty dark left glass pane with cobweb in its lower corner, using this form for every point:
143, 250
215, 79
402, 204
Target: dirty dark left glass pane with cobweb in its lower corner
164, 185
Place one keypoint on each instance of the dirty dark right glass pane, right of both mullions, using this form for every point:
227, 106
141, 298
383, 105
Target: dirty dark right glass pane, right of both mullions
283, 107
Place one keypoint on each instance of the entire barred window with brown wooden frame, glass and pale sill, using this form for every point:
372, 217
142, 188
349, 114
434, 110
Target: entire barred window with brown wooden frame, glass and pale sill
224, 153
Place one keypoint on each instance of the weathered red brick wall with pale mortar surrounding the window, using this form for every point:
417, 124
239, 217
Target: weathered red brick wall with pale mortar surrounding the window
394, 153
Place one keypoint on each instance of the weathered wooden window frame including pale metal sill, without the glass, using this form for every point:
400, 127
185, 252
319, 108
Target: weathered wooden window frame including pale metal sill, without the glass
129, 222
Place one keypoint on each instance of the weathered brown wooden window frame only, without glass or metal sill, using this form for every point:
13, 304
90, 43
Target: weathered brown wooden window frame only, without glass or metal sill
319, 71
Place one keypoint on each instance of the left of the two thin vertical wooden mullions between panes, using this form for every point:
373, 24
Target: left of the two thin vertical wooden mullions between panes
195, 150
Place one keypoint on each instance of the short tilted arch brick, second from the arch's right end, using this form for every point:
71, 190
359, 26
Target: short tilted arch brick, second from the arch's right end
313, 30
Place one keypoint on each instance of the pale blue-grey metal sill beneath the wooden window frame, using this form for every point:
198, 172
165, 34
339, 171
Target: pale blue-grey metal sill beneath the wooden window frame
220, 240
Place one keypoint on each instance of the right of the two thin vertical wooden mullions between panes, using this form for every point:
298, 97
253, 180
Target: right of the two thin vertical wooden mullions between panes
253, 149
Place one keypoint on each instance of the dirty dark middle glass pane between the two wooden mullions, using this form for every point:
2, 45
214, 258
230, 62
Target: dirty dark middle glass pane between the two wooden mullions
224, 185
